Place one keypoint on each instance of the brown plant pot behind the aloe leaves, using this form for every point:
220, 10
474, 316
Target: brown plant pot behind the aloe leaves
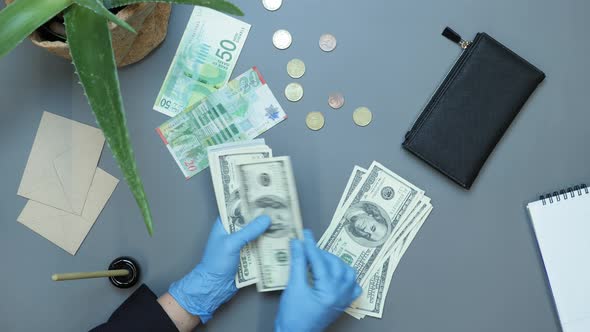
150, 20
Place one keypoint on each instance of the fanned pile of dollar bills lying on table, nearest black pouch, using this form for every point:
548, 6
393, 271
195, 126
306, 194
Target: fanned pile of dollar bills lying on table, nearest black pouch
378, 216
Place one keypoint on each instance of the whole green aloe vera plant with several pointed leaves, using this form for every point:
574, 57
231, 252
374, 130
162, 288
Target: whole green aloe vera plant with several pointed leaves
89, 40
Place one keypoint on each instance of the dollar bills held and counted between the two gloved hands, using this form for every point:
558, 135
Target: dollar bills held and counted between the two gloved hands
250, 182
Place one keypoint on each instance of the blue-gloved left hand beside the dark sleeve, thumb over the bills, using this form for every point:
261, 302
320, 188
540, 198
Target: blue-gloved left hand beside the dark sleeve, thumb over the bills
211, 283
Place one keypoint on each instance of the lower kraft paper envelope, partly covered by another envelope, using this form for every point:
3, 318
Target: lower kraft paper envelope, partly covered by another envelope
64, 229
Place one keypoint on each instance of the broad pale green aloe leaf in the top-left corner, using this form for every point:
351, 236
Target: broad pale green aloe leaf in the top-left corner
20, 18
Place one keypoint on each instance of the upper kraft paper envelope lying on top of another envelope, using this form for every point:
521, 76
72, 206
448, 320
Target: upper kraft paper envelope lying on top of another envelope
62, 163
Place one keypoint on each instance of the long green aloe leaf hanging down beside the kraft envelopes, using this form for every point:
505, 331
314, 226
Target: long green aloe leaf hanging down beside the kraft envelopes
92, 53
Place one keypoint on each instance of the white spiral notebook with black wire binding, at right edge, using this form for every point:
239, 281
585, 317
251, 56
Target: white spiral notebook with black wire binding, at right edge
562, 225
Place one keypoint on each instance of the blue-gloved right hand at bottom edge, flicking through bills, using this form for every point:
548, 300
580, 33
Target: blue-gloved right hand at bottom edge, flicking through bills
311, 308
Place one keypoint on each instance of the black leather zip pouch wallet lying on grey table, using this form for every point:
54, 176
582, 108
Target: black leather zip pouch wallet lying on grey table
472, 108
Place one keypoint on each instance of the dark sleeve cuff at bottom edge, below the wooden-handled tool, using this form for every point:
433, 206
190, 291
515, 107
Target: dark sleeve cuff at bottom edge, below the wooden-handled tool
140, 312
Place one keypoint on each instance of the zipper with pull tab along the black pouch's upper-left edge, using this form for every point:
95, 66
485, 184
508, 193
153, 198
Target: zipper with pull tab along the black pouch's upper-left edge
465, 46
